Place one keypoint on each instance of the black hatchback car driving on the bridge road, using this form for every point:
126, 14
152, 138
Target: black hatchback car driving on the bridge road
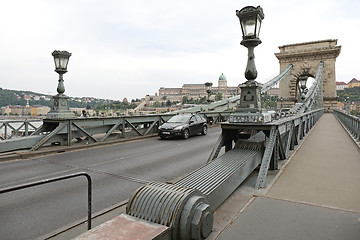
183, 125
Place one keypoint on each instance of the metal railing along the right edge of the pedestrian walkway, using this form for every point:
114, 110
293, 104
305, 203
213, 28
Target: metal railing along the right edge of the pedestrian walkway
351, 123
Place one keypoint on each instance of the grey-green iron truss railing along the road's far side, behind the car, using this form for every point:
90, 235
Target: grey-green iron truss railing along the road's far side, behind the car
94, 129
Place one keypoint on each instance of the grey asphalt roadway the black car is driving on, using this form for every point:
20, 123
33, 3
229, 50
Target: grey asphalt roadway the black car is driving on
34, 212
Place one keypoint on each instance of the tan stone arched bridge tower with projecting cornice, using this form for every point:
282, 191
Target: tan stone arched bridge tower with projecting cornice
305, 58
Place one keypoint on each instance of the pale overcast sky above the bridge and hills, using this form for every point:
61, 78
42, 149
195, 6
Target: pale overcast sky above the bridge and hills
130, 48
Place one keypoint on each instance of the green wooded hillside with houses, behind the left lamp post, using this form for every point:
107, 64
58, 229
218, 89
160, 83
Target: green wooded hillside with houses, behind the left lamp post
15, 97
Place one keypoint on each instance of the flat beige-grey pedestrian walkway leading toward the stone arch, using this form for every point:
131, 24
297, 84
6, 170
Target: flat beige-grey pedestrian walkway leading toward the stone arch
317, 196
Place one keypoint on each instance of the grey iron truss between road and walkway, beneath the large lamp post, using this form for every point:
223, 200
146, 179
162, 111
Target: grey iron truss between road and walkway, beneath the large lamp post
282, 135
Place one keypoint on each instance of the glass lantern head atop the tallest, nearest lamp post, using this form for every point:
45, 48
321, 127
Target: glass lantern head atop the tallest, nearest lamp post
250, 20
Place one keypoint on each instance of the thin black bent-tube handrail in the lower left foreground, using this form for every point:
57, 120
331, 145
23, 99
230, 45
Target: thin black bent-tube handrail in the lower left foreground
55, 179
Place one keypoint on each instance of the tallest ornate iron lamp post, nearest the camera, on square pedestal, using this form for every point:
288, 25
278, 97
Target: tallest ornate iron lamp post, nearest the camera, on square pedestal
250, 21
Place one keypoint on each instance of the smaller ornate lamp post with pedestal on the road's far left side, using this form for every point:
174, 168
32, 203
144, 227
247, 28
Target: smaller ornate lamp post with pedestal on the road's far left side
61, 106
